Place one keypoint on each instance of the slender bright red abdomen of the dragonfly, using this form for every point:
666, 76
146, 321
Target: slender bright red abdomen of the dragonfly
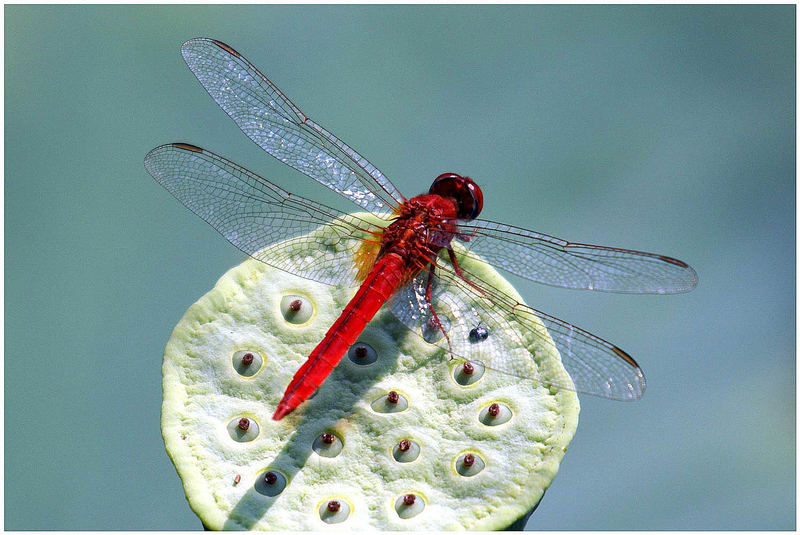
383, 280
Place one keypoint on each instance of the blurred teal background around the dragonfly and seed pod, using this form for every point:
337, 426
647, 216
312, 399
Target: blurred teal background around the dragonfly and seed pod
669, 129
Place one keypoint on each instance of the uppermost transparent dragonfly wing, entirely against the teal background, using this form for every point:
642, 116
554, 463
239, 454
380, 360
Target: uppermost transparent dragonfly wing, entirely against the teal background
270, 119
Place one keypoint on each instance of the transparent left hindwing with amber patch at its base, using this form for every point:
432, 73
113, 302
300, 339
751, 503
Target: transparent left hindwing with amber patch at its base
253, 214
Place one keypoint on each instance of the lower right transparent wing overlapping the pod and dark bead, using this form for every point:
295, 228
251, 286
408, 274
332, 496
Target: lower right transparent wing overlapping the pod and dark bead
517, 336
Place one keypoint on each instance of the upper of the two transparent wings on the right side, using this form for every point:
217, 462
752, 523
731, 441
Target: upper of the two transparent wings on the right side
542, 258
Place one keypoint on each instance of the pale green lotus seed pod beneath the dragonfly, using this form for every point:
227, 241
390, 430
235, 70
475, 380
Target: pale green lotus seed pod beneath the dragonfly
284, 482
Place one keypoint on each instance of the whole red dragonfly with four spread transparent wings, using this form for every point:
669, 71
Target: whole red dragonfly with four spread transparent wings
400, 261
